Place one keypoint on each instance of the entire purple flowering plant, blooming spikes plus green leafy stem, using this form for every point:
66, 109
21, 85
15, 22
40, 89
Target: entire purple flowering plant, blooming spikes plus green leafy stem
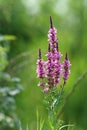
53, 73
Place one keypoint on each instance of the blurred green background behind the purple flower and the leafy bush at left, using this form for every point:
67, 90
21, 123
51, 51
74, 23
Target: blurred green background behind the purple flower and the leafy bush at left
28, 20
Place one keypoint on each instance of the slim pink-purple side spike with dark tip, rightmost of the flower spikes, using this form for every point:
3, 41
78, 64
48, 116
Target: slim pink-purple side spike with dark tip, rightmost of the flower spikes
66, 67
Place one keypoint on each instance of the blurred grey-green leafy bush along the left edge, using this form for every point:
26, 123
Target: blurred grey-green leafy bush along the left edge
9, 87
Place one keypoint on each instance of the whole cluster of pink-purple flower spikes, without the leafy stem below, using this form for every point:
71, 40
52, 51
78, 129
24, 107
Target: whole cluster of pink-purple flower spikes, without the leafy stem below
52, 70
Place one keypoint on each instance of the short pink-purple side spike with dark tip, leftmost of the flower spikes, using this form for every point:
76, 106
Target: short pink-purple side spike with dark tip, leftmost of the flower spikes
40, 67
